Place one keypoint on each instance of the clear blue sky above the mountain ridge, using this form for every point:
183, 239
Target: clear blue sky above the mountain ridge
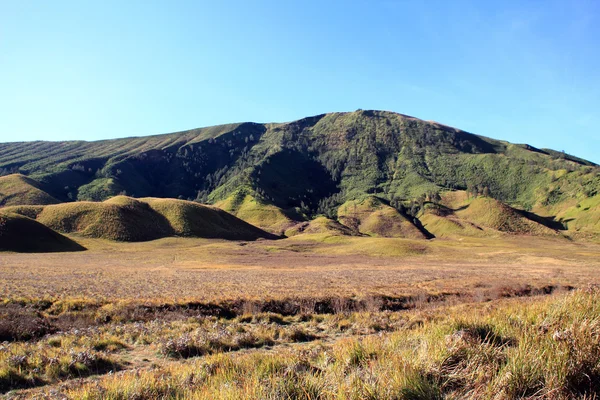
523, 71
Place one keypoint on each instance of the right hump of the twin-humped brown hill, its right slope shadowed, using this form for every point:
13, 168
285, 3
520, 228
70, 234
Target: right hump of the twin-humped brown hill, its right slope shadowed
192, 219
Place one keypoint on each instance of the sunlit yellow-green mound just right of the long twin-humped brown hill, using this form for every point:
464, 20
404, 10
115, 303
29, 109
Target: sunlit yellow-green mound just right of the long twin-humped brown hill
250, 209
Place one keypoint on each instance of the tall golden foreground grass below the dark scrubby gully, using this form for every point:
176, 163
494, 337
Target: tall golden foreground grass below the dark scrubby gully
514, 348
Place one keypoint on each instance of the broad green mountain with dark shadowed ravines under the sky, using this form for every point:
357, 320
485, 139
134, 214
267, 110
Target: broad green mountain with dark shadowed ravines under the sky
375, 171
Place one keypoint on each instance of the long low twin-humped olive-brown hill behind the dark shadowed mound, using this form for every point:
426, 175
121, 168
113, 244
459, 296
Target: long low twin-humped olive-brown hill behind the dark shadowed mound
125, 219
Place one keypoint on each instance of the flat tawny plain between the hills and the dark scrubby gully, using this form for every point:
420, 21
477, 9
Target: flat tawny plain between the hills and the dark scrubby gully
304, 266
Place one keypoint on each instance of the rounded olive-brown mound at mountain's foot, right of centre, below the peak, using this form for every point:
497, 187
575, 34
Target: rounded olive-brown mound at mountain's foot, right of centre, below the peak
373, 217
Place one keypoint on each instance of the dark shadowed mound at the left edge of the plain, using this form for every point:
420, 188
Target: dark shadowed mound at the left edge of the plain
24, 235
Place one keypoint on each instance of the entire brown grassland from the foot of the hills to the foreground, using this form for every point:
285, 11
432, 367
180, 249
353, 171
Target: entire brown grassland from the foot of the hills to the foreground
314, 316
